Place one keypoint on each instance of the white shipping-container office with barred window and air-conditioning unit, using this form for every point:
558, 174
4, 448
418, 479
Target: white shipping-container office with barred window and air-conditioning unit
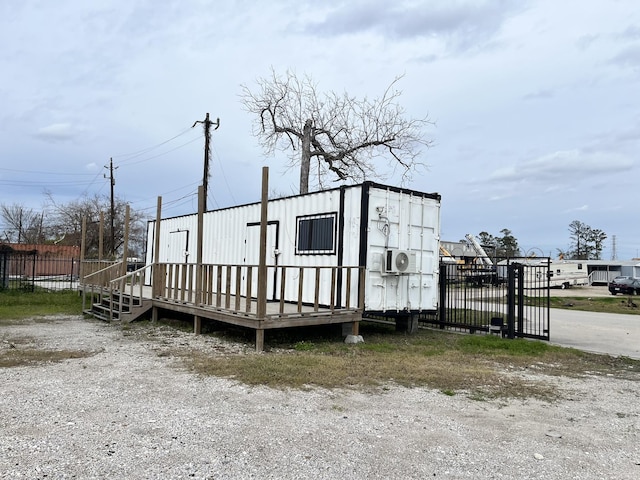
392, 232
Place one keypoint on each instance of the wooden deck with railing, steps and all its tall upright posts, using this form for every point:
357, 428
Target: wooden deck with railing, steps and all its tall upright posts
259, 297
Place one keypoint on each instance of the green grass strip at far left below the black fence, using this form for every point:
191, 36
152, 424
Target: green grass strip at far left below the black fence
17, 305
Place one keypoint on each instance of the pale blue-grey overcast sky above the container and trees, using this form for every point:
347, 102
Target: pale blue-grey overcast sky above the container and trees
536, 103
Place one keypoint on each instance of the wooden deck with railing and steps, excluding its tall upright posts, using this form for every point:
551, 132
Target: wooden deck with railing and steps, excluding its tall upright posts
214, 292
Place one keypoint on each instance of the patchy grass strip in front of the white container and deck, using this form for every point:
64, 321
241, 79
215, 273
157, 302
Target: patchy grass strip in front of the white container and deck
479, 366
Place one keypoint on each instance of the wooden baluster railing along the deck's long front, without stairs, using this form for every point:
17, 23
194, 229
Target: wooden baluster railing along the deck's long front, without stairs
235, 287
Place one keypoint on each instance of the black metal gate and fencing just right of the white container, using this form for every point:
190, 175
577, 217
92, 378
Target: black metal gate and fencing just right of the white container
511, 297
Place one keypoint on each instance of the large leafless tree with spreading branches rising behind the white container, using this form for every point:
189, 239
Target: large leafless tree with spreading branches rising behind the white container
343, 134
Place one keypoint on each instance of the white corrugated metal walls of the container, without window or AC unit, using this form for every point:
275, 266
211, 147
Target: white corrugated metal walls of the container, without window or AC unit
407, 221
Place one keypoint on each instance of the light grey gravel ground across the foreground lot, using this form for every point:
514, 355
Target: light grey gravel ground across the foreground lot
130, 411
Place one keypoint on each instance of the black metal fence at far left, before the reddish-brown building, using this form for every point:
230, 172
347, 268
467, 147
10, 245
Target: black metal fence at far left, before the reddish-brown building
28, 271
